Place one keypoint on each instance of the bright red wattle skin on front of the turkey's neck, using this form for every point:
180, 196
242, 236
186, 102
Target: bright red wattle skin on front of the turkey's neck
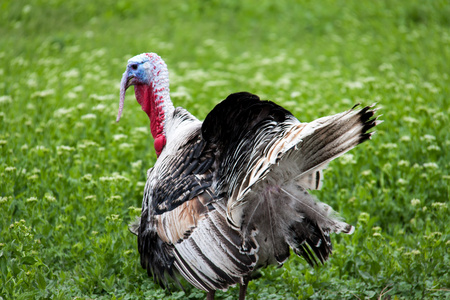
152, 104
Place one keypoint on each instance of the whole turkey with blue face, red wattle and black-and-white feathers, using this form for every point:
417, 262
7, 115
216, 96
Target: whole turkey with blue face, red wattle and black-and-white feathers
229, 195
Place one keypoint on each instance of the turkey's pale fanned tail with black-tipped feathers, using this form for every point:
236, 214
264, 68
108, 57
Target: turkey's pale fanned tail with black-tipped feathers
300, 220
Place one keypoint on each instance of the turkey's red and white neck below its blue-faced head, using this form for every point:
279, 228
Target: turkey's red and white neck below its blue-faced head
155, 101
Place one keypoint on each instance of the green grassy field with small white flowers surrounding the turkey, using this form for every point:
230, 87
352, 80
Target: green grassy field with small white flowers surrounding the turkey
71, 178
